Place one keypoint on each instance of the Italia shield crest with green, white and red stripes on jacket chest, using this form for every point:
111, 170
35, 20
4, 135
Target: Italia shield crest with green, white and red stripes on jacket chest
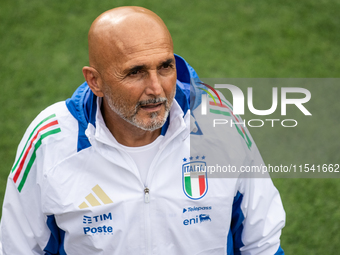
195, 182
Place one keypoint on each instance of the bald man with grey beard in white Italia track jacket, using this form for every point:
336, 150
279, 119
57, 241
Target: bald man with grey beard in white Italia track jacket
109, 171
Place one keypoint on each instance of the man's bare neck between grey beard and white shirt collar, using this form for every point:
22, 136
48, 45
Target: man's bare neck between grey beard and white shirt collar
126, 133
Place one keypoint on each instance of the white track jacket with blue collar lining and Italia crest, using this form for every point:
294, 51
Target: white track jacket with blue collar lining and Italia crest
73, 190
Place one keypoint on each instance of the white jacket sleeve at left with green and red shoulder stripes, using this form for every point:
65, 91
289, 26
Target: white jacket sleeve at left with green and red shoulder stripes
24, 226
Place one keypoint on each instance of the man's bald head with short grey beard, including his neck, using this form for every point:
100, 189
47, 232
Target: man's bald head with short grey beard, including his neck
133, 69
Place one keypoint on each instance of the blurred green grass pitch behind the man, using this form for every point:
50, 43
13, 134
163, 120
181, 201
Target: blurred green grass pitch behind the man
43, 46
